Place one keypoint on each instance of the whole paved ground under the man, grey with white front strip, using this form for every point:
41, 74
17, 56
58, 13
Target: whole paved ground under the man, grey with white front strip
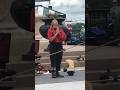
76, 82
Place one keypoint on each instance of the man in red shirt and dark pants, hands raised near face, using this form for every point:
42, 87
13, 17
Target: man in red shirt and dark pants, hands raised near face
56, 36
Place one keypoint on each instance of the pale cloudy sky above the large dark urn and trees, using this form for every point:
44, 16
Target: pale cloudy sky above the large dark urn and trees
74, 9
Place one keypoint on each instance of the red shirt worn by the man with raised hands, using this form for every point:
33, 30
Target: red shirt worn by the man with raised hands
59, 38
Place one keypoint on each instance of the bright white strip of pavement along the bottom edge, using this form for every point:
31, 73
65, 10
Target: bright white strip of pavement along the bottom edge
77, 85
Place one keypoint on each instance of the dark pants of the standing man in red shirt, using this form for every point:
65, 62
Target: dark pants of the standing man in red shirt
55, 58
